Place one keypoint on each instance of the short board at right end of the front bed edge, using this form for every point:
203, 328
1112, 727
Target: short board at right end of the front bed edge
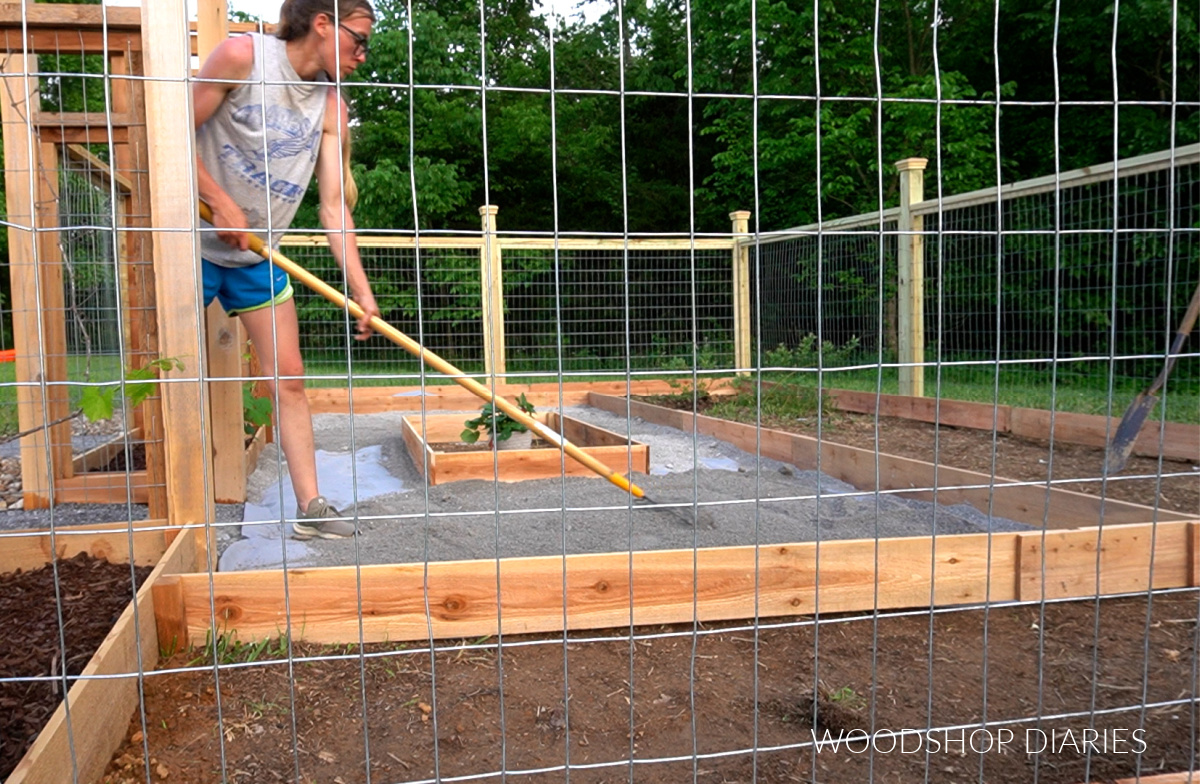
1089, 562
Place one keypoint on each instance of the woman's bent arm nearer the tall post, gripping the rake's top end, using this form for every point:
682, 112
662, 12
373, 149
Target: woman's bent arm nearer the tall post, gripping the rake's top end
230, 63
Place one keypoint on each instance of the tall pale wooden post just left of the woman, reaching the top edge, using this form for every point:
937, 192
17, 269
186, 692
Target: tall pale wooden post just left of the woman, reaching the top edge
177, 264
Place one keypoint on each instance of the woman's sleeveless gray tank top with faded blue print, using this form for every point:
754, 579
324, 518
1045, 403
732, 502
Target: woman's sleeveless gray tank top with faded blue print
263, 140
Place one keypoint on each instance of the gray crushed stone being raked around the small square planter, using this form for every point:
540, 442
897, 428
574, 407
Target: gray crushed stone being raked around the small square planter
707, 494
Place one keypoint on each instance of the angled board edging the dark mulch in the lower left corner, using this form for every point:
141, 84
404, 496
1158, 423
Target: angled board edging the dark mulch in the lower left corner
106, 695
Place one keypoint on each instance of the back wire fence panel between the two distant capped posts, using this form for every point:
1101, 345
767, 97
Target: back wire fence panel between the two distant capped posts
607, 310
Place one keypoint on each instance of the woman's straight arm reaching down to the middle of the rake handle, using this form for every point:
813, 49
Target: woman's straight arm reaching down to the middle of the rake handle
335, 214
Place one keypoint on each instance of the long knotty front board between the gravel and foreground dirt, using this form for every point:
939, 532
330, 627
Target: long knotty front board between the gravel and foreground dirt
602, 591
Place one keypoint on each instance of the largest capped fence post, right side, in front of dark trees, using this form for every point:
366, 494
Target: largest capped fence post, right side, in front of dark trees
911, 278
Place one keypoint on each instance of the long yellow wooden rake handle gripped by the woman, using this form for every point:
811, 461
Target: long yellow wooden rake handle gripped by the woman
434, 361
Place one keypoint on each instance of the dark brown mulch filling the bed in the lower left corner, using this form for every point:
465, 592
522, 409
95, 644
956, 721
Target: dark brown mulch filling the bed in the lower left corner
94, 594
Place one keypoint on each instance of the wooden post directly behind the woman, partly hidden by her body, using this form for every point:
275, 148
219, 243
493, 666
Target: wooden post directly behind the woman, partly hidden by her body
225, 337
